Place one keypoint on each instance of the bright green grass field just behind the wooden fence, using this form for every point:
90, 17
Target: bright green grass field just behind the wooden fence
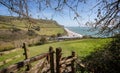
82, 48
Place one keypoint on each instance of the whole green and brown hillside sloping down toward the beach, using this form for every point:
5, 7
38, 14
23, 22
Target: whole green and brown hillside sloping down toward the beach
14, 31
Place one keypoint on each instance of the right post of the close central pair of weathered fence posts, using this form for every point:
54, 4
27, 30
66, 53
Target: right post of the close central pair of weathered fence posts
58, 58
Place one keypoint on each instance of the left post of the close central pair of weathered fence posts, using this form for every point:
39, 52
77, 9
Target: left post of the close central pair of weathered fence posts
51, 59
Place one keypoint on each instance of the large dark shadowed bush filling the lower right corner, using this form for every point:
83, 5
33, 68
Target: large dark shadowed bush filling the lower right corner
106, 60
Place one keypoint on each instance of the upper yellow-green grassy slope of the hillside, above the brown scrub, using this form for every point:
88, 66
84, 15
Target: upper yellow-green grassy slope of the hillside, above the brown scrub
48, 27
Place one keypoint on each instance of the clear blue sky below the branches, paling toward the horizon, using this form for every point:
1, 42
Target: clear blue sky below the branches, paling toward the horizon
65, 17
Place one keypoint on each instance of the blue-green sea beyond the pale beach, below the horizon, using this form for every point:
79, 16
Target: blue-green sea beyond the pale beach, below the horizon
87, 31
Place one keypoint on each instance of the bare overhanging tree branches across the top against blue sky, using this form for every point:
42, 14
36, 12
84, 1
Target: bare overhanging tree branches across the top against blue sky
107, 13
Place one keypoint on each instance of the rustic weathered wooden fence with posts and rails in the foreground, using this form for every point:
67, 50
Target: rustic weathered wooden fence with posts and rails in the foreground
50, 62
